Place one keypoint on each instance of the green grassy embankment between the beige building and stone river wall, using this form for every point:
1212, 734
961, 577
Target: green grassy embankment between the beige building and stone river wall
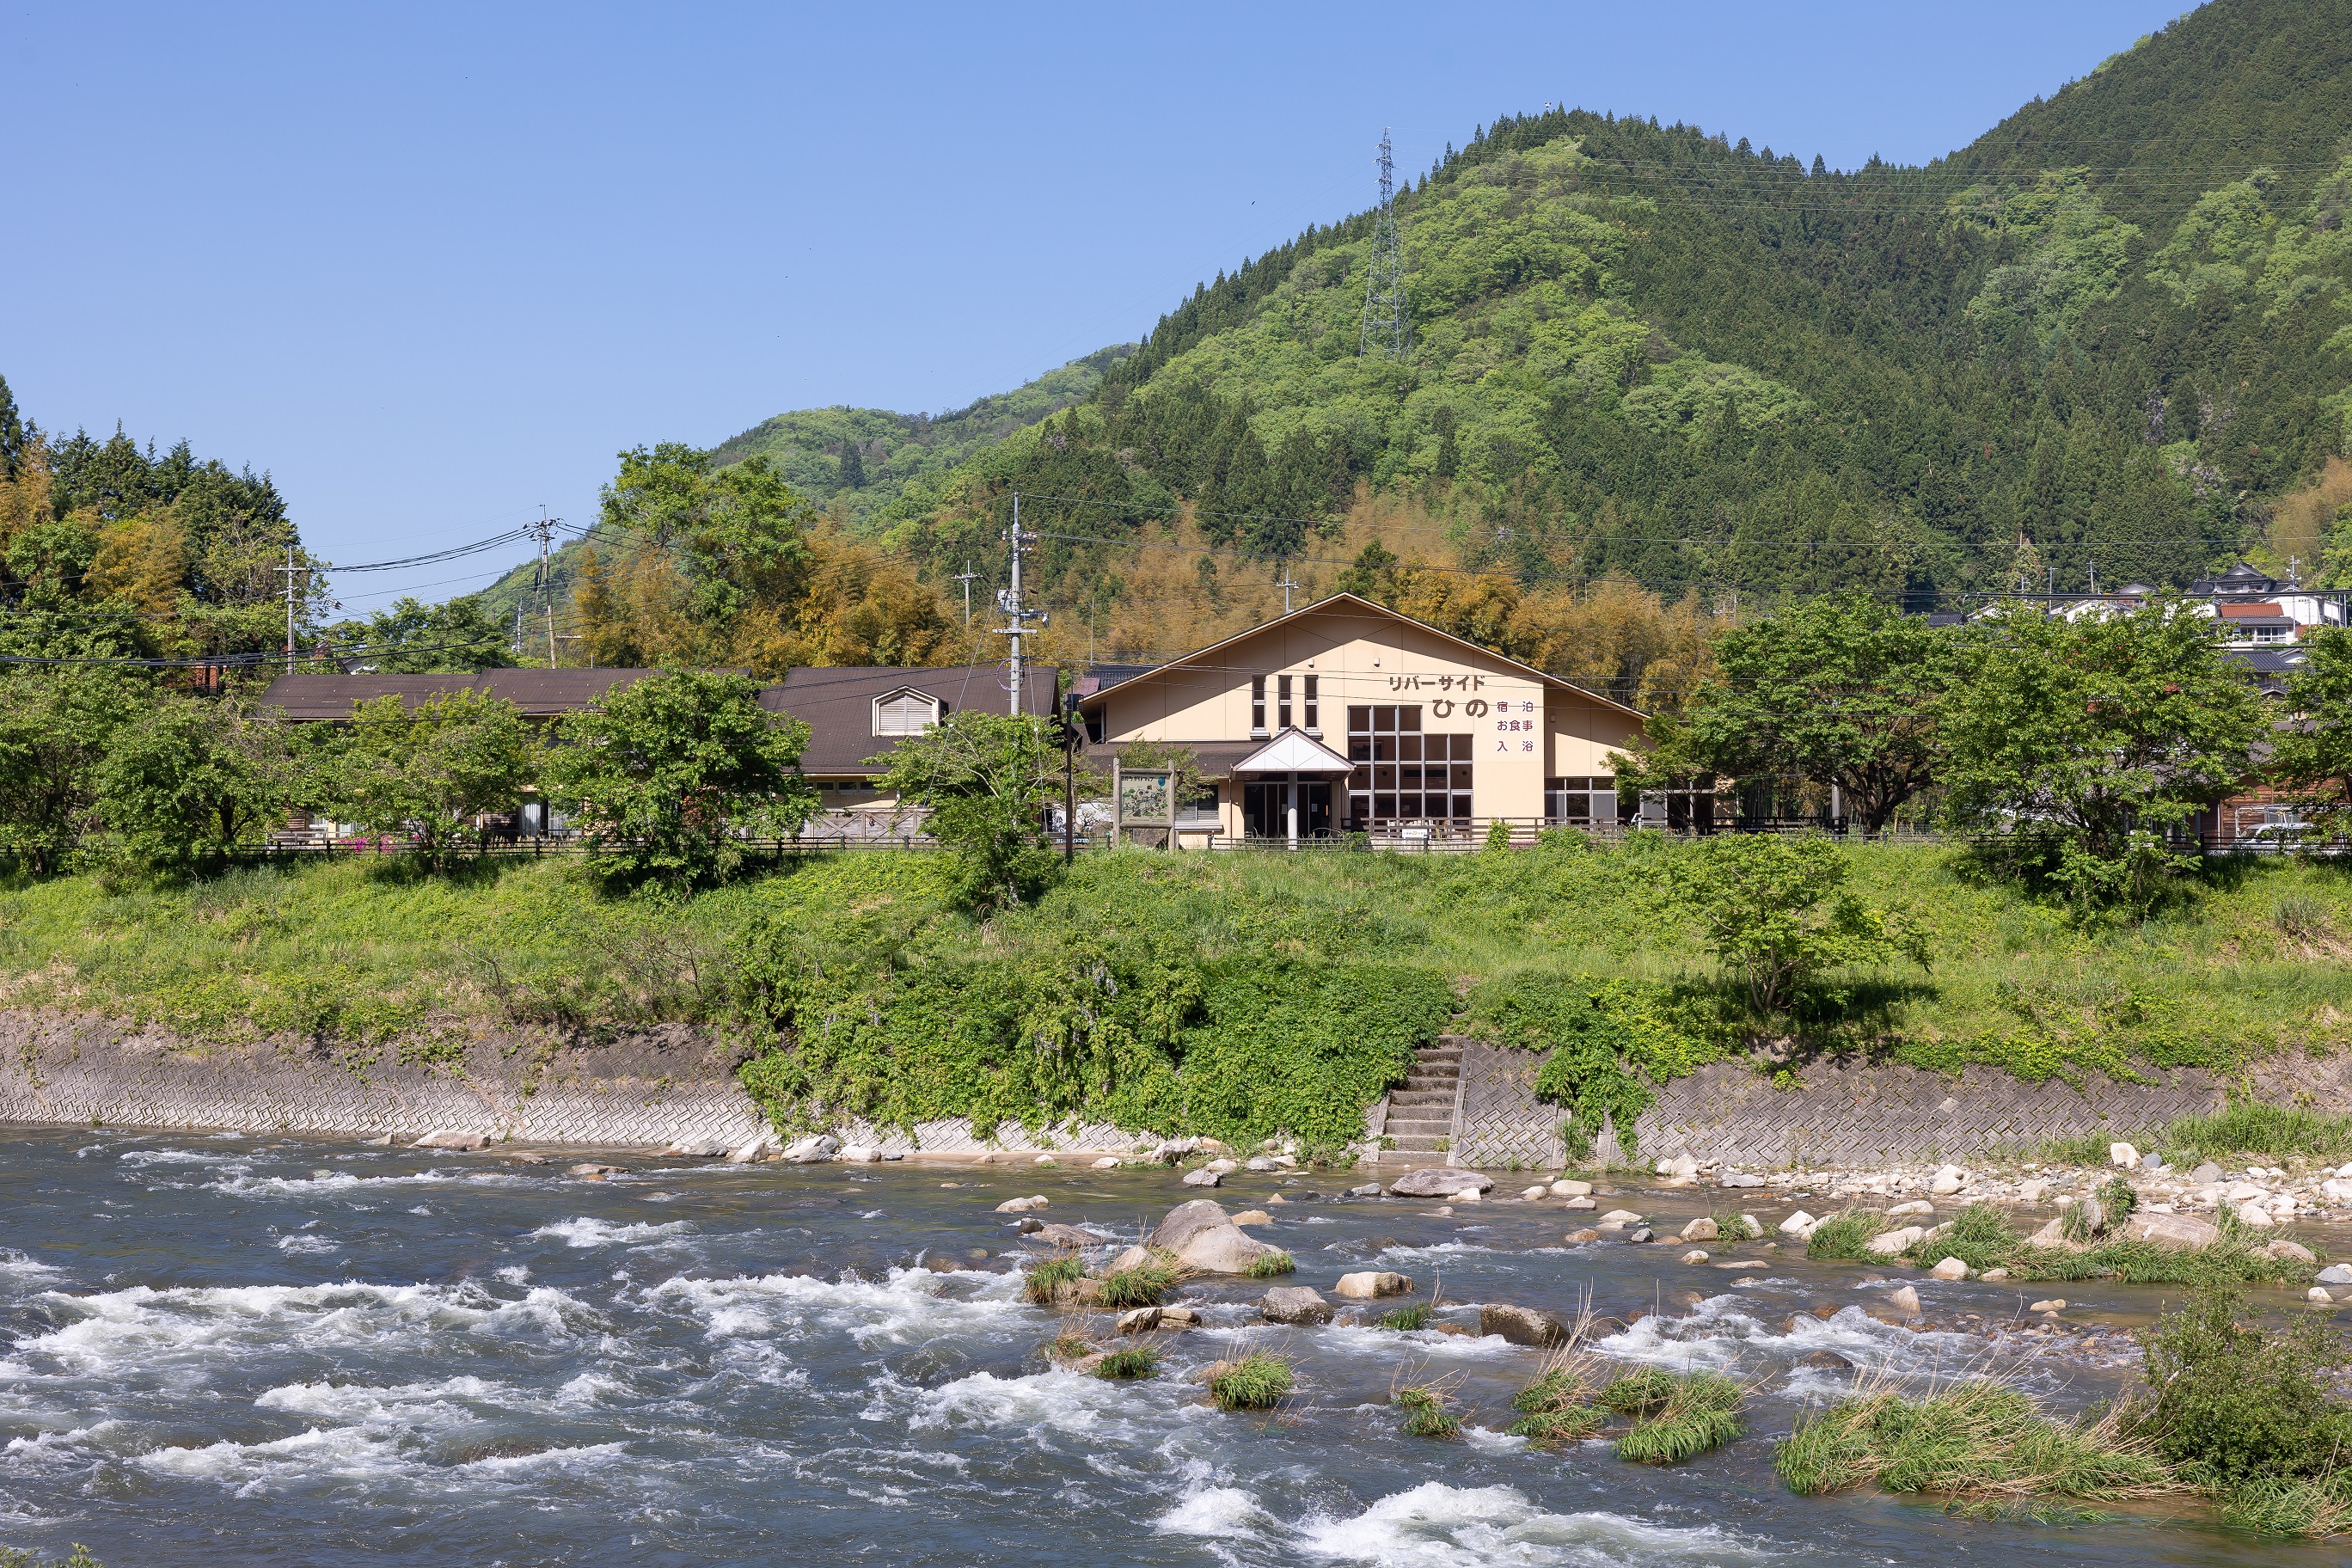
1210, 993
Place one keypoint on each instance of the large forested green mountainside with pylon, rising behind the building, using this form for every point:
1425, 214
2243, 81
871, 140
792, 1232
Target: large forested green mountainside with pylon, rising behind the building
2099, 340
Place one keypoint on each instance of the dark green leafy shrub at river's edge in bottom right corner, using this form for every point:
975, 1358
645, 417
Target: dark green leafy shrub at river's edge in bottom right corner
2238, 1402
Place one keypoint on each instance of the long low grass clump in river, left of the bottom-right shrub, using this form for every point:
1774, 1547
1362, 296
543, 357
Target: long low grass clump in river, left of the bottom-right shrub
1972, 1442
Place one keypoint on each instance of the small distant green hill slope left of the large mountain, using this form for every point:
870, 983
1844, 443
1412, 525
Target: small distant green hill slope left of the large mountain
895, 450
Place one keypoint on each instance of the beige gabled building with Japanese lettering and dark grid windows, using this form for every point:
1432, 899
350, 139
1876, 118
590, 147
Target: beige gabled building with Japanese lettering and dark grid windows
1351, 718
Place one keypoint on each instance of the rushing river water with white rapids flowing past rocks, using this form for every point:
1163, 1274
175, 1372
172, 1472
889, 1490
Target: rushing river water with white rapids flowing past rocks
234, 1351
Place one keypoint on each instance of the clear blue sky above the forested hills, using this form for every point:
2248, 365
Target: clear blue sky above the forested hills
434, 267
